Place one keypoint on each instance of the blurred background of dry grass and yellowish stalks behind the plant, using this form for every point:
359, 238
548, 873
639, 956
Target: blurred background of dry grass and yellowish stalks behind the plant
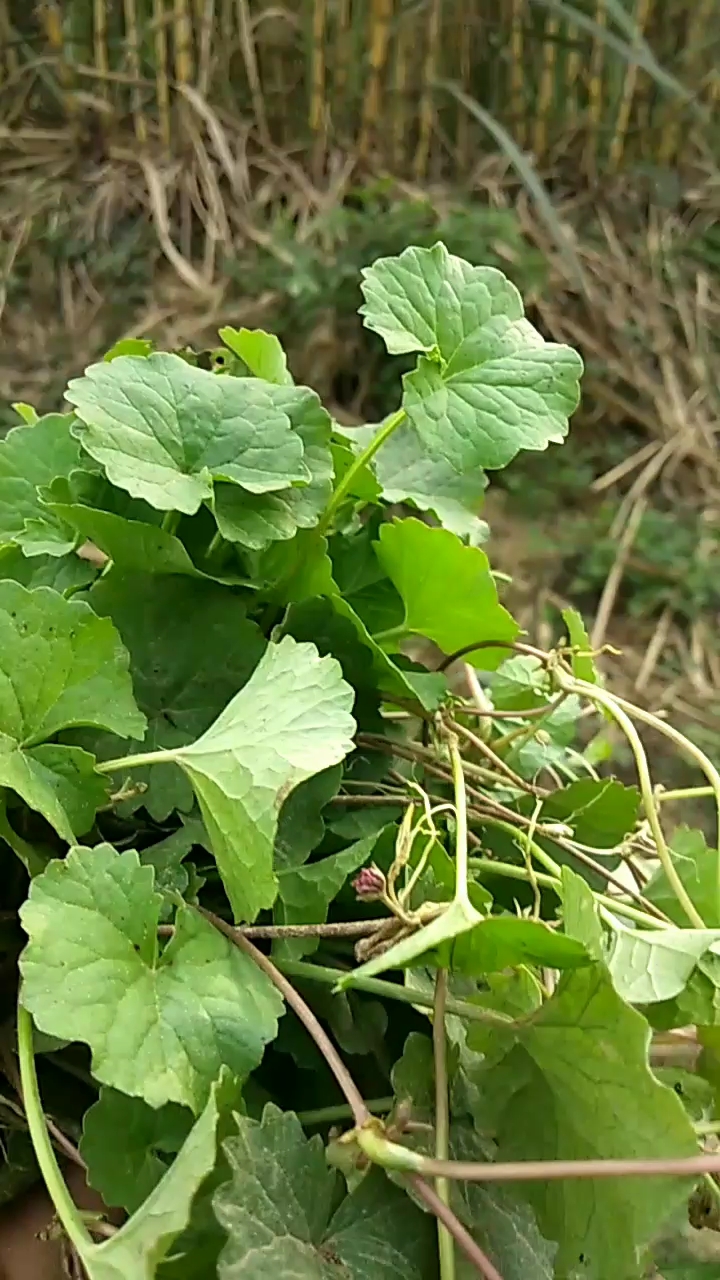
171, 166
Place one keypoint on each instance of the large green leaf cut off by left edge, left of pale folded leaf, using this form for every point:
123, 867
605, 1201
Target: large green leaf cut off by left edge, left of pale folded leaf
61, 666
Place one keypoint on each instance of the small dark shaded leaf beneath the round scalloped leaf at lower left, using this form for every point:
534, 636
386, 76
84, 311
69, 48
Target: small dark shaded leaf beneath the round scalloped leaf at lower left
127, 1146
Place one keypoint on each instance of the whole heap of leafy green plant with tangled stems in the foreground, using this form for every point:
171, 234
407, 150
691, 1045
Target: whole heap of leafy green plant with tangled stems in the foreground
352, 976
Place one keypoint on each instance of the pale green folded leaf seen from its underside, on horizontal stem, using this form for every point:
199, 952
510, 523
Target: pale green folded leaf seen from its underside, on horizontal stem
291, 720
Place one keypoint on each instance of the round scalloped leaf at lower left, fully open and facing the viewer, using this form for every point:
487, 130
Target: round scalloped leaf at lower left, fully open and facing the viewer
161, 1022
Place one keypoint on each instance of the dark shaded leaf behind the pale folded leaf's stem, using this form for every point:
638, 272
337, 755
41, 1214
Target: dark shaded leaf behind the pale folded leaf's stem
184, 673
